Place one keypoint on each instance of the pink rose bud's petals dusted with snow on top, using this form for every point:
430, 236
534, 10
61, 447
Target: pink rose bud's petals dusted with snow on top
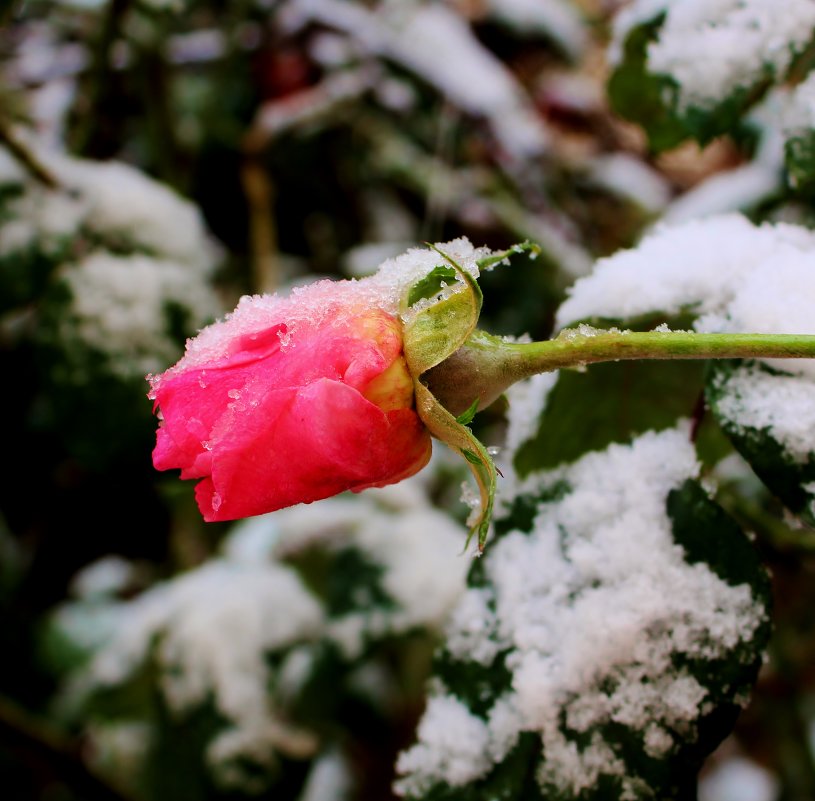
289, 400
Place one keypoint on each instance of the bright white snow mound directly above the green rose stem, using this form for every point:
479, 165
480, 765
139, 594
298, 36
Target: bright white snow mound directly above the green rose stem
738, 277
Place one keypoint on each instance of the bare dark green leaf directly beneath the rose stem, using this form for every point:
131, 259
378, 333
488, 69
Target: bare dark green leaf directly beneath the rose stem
607, 403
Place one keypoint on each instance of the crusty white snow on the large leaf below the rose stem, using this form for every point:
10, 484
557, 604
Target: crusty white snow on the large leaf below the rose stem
594, 605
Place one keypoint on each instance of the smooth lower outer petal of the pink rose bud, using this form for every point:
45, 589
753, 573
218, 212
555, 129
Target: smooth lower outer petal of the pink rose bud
303, 444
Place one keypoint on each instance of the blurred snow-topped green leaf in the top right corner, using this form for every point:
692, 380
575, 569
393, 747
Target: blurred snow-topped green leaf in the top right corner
686, 69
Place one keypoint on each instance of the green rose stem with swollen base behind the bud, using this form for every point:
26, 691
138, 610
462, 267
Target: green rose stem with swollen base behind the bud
485, 365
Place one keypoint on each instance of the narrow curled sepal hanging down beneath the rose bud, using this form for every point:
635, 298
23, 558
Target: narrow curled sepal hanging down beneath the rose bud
446, 428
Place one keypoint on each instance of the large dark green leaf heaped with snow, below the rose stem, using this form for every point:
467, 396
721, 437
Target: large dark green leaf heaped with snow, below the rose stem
607, 641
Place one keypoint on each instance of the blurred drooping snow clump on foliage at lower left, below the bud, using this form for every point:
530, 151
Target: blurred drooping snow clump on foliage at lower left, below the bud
210, 631
